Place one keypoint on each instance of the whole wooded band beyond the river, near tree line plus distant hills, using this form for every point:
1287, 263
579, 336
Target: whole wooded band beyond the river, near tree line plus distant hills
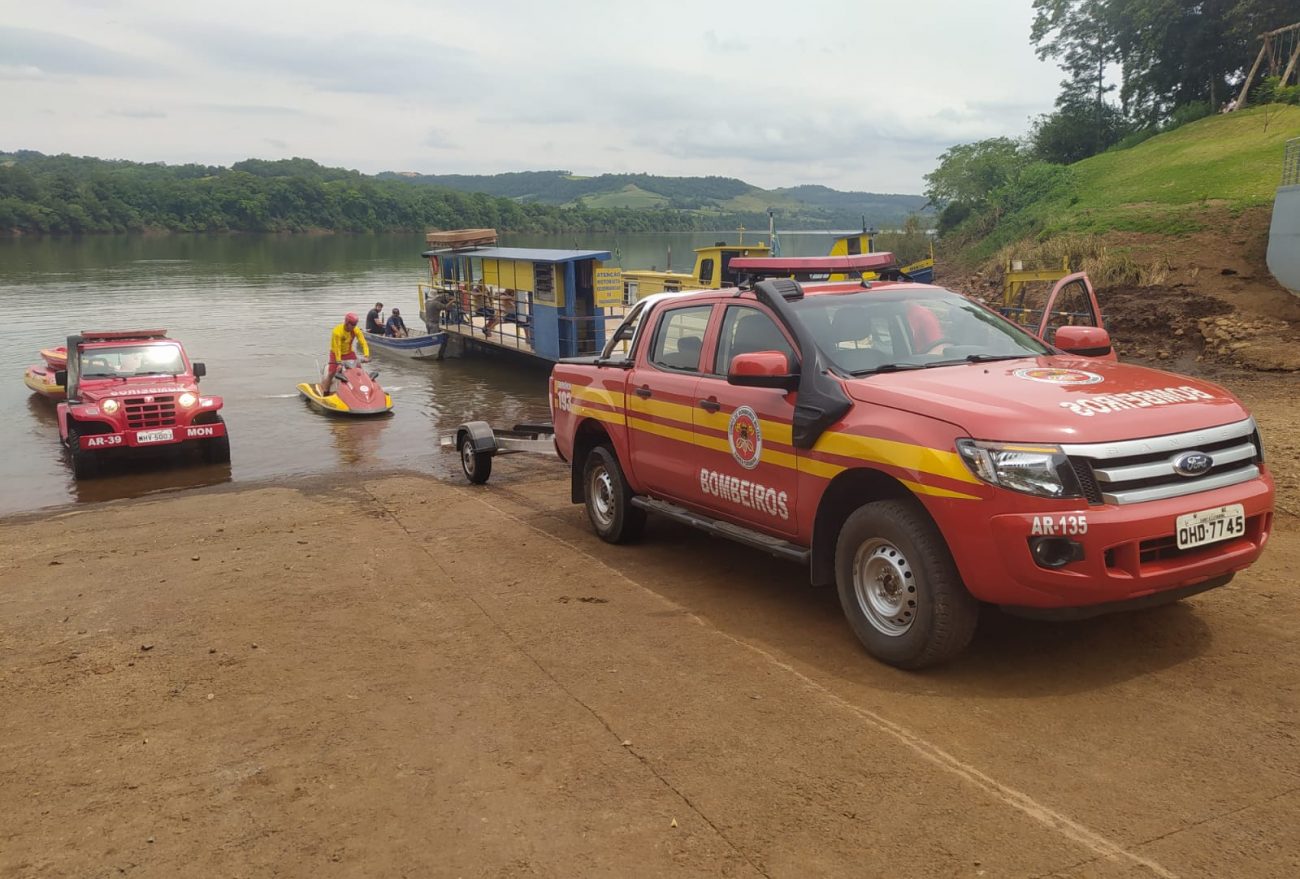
42, 194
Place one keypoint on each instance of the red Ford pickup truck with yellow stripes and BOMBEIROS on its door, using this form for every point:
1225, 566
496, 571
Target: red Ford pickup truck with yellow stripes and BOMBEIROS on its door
917, 451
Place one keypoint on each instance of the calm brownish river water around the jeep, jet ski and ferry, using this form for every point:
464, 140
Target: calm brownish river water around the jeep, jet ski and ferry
258, 310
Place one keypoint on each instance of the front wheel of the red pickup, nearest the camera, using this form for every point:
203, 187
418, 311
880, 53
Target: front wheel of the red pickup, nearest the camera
900, 588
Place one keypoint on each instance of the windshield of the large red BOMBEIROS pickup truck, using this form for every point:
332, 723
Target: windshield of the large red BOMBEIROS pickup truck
905, 330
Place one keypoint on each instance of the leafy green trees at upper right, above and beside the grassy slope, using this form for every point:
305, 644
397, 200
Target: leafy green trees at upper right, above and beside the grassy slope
1133, 70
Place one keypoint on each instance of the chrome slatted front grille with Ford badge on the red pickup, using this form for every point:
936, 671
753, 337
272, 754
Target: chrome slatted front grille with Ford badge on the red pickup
1134, 471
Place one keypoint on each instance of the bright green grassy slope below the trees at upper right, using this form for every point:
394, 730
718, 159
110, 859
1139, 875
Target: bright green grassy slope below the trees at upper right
1160, 185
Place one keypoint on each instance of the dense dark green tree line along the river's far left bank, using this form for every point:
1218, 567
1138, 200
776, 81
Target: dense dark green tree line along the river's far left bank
68, 196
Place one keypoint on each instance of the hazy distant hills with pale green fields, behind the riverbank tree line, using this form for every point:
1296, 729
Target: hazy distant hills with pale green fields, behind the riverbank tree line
799, 207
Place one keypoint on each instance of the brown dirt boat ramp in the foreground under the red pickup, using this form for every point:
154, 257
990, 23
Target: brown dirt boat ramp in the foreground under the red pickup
409, 678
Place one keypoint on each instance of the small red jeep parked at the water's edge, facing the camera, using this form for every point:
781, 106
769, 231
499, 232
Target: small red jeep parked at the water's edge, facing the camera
133, 391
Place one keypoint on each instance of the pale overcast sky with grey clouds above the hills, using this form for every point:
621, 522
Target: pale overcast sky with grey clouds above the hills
855, 96
